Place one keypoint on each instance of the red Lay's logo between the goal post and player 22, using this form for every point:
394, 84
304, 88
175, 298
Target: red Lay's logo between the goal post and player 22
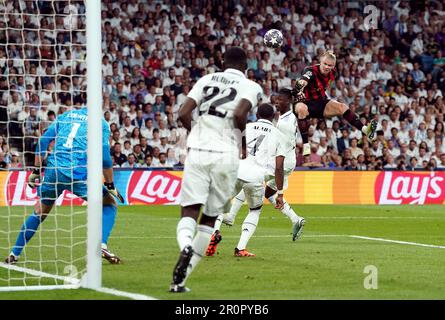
153, 187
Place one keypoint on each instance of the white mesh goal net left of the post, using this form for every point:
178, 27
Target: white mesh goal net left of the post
42, 75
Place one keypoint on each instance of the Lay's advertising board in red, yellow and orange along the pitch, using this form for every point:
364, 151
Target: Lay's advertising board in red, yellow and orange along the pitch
141, 187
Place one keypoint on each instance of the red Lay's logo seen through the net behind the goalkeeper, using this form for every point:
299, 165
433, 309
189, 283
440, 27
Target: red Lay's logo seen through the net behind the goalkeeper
18, 193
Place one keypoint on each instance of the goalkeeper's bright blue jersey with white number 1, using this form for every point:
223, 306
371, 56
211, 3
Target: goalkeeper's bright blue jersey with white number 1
68, 155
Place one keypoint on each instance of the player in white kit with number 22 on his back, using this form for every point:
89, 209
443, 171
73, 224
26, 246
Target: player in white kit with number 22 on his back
224, 100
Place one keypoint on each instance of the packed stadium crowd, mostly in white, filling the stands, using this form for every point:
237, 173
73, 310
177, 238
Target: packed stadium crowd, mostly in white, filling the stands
154, 51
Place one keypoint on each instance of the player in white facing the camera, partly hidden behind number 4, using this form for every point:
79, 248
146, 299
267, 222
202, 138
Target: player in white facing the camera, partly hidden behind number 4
287, 125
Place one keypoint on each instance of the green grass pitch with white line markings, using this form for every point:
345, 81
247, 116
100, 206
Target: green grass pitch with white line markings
328, 262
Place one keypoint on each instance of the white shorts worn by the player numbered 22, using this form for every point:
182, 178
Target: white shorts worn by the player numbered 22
209, 179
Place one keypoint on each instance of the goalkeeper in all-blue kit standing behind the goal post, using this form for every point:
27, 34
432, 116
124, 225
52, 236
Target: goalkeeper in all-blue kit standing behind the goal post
66, 169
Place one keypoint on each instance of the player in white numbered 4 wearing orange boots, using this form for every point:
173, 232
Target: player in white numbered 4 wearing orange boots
263, 146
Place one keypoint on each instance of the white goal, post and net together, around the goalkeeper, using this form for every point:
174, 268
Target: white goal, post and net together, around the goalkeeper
45, 48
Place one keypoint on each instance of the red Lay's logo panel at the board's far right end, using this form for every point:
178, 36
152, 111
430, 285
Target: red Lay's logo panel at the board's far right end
410, 188
